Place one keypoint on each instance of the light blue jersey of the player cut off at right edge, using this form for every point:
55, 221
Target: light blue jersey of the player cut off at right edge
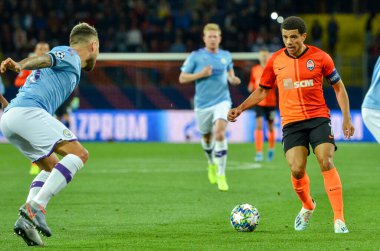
372, 98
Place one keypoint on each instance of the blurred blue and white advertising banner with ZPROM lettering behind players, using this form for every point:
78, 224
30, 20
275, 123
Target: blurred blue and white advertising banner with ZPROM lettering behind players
179, 126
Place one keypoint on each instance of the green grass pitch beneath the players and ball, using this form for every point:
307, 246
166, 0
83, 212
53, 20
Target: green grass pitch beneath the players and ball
150, 196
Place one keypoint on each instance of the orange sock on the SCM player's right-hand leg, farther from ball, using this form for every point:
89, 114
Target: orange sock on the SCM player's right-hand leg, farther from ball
333, 188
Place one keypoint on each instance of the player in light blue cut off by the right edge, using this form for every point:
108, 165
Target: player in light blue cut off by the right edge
371, 104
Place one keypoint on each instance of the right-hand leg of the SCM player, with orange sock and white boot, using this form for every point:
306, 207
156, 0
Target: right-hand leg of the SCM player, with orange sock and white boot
333, 186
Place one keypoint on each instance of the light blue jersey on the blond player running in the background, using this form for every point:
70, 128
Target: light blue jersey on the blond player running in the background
213, 89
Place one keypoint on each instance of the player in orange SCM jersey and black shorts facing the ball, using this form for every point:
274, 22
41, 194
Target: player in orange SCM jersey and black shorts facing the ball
298, 69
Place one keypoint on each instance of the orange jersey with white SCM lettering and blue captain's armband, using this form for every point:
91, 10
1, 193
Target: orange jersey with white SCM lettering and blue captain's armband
299, 81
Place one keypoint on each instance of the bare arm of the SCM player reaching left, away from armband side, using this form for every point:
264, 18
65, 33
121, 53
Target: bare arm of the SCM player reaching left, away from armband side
255, 97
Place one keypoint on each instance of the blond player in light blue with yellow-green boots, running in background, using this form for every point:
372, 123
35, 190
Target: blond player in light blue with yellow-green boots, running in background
211, 68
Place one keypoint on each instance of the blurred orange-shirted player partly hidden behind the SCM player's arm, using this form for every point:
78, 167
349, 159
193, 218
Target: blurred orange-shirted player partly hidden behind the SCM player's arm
266, 108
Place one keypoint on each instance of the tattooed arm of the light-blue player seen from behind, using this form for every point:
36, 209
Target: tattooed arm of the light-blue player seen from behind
31, 63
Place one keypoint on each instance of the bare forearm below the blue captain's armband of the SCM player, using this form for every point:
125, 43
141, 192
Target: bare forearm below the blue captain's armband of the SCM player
344, 104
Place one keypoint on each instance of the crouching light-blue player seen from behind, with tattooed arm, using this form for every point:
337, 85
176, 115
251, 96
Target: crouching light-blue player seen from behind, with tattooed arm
28, 123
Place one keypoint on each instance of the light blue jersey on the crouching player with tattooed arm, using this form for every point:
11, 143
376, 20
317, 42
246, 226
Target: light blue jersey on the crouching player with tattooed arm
48, 88
